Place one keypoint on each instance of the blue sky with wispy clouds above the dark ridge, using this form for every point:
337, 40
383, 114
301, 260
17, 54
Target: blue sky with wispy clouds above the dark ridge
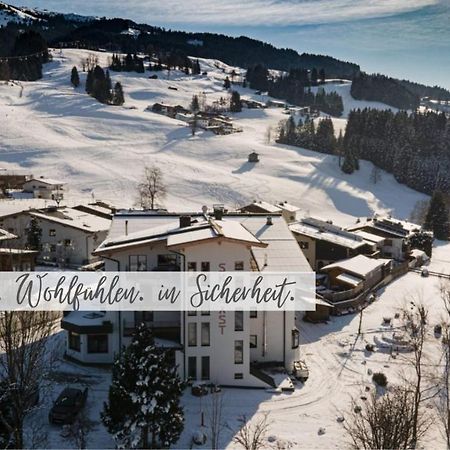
402, 38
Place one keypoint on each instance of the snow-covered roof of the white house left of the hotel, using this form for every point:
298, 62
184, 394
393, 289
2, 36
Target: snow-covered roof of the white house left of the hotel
73, 218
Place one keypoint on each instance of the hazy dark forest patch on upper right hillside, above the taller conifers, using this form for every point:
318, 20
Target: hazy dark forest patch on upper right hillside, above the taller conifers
384, 89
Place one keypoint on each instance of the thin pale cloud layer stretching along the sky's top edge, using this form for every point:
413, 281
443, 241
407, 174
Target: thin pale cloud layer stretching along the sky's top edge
236, 12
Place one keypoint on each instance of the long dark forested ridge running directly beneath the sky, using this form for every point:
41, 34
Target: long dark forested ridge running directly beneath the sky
238, 51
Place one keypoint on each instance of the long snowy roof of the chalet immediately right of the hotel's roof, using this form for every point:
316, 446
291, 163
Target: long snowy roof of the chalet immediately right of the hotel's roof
324, 231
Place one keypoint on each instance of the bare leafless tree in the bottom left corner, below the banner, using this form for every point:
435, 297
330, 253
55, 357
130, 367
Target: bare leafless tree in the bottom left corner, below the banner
23, 363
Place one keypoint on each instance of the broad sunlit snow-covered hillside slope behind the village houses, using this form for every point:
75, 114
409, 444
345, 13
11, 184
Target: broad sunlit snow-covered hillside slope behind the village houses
55, 130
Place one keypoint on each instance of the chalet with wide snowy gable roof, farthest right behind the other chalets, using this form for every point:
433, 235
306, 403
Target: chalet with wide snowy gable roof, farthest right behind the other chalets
395, 233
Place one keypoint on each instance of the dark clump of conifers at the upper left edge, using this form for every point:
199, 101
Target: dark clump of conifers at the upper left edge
23, 56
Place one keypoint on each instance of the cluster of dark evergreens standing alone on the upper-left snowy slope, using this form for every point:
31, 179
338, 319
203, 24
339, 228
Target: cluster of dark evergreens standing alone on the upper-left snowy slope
99, 86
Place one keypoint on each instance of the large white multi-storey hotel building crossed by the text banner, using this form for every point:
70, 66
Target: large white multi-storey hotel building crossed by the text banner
224, 348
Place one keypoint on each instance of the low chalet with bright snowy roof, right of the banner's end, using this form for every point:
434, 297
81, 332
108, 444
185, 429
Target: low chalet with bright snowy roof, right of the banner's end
358, 273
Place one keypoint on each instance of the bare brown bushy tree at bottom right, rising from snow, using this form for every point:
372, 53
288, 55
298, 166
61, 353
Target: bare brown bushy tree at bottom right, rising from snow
386, 421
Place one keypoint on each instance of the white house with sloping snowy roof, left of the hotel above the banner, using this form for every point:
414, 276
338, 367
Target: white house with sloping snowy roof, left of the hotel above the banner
69, 236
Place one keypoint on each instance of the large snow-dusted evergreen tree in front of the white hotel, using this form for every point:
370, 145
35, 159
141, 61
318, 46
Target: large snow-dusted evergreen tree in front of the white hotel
143, 408
